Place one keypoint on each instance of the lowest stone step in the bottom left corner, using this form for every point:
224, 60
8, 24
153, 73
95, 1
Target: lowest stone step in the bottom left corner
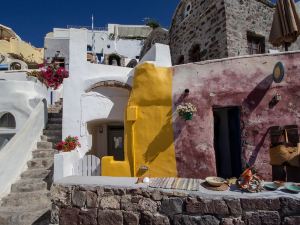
16, 217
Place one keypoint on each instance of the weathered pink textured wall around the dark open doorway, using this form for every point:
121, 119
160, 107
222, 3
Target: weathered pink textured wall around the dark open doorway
244, 82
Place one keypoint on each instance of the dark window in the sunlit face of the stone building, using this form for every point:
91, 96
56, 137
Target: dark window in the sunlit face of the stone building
256, 44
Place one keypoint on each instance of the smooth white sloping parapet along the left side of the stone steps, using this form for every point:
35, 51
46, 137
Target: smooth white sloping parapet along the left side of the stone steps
16, 153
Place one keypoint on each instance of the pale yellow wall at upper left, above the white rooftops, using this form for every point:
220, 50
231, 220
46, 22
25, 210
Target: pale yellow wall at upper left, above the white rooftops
29, 52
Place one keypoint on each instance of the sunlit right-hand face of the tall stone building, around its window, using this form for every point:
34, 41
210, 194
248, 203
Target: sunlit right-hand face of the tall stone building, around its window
247, 16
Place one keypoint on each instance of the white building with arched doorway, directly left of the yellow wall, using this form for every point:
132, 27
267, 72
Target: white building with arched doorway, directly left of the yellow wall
95, 98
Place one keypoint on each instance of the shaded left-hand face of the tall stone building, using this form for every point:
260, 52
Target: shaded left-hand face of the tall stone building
204, 26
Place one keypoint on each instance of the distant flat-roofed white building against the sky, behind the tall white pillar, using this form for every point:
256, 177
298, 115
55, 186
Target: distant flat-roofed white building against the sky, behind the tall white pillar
116, 44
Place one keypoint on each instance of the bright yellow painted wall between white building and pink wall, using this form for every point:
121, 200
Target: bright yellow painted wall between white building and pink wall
149, 140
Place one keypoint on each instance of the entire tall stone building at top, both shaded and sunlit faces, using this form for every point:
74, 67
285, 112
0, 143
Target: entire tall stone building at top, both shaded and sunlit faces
220, 28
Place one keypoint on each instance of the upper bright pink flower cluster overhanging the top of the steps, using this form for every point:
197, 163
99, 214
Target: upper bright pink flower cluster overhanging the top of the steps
53, 75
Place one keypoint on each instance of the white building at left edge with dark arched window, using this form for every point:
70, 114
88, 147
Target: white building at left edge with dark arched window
19, 95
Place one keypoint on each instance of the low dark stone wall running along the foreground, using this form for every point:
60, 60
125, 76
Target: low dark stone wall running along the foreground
92, 205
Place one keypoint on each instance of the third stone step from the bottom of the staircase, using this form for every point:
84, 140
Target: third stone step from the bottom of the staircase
29, 185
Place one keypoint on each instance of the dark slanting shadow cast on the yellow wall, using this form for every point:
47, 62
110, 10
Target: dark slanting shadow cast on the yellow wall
160, 143
